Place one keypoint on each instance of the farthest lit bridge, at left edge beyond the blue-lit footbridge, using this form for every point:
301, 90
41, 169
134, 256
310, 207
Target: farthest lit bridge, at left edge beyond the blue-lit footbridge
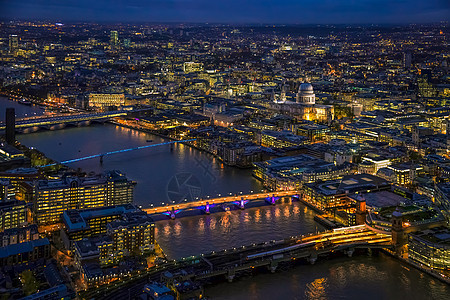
33, 124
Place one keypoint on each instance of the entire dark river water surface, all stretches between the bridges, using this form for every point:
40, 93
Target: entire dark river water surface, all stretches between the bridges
165, 174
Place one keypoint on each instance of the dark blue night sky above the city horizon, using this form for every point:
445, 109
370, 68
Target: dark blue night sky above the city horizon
230, 11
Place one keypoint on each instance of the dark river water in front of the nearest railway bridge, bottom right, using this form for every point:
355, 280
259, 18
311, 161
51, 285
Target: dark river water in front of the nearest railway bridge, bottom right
359, 277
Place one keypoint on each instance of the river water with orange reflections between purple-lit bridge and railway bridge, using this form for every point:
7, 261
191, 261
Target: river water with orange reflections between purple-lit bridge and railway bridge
201, 234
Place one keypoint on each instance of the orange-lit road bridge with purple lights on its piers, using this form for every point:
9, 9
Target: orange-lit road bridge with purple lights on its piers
172, 209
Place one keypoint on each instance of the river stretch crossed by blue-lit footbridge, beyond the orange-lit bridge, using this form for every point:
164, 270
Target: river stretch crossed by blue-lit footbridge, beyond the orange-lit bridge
152, 168
